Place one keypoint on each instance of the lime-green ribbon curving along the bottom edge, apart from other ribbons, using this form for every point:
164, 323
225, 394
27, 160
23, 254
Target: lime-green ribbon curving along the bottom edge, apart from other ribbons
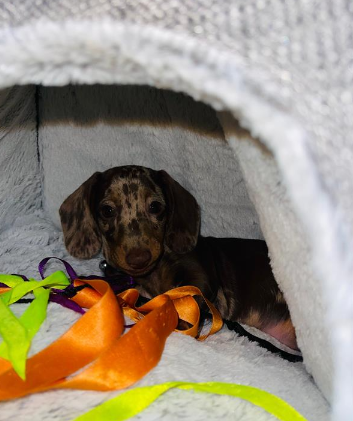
133, 401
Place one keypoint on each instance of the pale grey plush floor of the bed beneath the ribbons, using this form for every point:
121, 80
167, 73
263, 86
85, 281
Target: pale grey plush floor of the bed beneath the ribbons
223, 357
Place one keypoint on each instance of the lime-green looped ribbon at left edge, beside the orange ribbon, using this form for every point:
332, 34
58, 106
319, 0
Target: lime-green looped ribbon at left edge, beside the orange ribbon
19, 332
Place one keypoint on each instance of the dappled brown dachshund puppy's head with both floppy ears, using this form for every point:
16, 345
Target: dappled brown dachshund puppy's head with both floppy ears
134, 214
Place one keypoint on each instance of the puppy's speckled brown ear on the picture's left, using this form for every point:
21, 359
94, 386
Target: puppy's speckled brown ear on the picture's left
82, 238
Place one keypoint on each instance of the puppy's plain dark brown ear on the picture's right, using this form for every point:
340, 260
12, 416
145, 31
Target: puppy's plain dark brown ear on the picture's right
183, 221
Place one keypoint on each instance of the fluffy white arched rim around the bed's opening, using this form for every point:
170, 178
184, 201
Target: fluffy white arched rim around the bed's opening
109, 52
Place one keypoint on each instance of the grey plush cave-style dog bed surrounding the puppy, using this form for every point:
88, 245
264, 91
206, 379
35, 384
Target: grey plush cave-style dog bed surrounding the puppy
87, 85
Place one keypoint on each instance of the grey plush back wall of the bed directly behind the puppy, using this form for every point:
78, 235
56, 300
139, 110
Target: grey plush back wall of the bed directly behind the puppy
84, 129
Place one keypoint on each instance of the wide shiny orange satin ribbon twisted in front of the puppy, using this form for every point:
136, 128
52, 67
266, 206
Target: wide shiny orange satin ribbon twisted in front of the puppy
115, 361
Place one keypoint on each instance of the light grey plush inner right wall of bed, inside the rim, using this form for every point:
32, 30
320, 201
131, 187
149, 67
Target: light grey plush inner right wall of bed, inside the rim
290, 260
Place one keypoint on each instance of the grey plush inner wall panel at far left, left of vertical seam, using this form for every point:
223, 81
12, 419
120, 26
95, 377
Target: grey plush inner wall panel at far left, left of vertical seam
19, 172
